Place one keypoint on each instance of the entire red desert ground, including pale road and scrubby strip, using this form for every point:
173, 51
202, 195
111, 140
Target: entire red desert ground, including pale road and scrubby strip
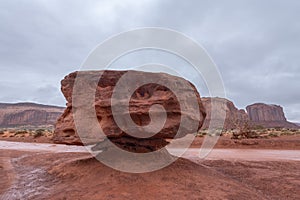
261, 168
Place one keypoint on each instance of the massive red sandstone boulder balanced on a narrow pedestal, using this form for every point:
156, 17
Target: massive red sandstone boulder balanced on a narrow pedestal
140, 104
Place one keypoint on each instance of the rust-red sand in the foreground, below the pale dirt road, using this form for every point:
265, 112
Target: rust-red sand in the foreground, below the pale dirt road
50, 175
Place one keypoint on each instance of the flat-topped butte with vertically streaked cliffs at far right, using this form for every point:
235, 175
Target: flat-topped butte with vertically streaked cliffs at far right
268, 116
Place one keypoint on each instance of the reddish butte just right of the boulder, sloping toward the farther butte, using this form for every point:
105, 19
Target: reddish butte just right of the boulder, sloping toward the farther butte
233, 116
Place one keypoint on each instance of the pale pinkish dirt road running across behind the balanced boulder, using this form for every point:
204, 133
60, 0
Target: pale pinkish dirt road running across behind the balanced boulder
192, 153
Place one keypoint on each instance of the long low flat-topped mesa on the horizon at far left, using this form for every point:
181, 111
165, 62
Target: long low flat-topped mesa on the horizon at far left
28, 114
